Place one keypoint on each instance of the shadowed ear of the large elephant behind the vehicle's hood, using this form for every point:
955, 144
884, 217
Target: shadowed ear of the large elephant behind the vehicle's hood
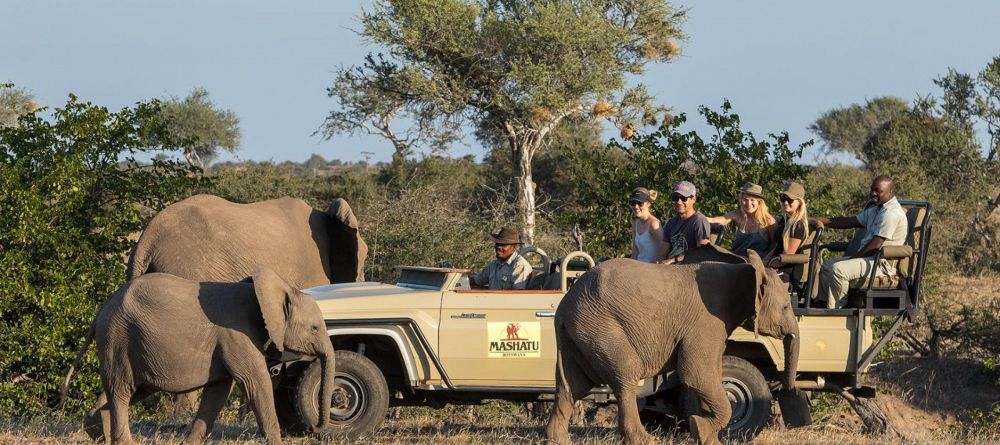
348, 250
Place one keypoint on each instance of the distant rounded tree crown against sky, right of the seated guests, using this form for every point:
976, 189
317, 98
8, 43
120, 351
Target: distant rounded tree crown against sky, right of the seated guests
846, 129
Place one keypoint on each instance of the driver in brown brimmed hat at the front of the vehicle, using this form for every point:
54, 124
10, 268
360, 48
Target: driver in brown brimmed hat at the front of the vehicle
509, 270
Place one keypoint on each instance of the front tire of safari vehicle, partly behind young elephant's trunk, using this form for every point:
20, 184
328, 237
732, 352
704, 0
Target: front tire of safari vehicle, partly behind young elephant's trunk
365, 389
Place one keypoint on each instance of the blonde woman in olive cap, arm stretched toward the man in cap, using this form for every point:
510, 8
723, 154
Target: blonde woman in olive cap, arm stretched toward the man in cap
749, 219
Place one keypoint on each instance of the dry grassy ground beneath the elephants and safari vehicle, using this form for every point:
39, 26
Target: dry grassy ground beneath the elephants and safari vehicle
927, 401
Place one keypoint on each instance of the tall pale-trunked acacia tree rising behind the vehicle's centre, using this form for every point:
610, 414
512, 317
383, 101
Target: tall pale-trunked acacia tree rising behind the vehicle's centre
513, 67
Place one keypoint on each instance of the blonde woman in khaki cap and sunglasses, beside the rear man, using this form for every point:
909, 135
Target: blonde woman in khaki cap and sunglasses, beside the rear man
791, 228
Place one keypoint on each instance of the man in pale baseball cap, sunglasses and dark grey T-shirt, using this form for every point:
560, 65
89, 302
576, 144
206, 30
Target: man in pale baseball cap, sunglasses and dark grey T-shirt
688, 228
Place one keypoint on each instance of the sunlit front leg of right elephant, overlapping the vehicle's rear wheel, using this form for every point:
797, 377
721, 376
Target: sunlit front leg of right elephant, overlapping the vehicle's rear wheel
705, 382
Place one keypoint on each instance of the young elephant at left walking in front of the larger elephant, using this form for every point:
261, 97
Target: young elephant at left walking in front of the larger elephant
164, 333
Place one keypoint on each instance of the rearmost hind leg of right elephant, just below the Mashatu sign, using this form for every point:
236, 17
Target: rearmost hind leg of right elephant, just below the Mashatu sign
572, 385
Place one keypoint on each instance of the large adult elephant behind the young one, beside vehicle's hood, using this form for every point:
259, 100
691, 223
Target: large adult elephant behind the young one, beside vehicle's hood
207, 238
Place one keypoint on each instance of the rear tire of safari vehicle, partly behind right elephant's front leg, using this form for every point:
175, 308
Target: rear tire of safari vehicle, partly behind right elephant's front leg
749, 397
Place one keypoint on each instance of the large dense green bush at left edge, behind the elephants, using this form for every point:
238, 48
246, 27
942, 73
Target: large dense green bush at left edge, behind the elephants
68, 206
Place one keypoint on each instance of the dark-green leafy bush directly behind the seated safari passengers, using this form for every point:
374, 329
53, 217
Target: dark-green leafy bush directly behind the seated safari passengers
717, 166
